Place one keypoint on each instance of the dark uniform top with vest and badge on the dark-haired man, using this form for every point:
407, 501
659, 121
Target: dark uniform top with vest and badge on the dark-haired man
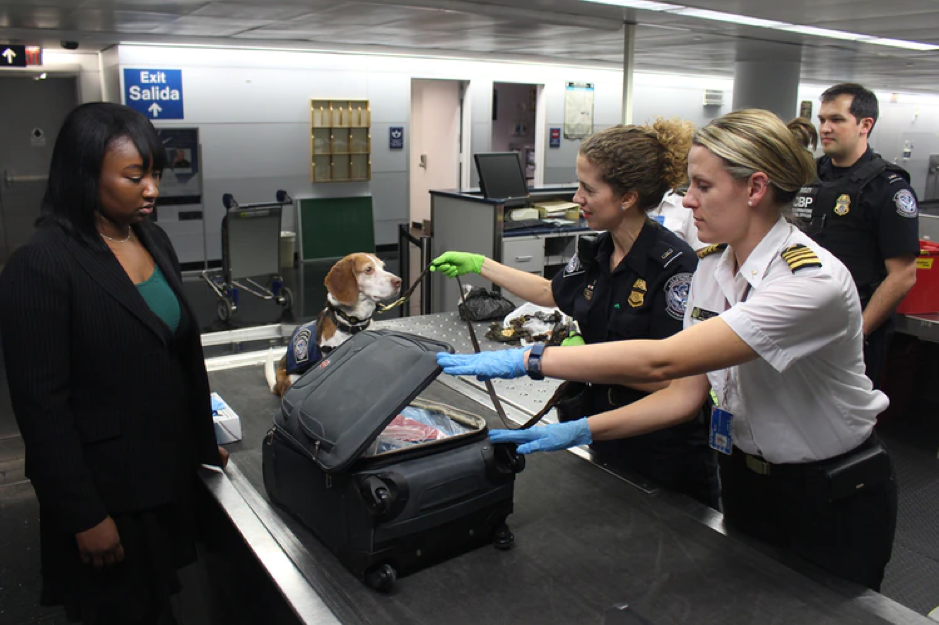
863, 214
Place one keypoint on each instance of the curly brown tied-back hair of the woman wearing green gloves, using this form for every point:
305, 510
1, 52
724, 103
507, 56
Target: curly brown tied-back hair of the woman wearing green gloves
648, 159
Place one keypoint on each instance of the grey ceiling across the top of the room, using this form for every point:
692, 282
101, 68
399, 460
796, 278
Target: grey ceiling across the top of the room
553, 30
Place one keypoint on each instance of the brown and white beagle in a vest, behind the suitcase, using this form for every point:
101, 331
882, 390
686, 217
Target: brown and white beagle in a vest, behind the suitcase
354, 286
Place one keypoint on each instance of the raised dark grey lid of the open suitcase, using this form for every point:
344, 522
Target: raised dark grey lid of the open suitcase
342, 404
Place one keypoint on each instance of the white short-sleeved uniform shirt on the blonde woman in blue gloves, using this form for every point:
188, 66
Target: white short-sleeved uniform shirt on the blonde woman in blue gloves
806, 398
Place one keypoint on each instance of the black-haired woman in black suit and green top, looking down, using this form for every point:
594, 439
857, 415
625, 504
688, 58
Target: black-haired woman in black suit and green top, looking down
106, 375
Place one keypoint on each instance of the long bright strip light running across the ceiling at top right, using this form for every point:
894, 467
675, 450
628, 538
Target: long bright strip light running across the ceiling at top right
745, 20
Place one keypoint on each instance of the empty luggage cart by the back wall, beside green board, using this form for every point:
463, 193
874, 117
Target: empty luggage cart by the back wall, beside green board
250, 248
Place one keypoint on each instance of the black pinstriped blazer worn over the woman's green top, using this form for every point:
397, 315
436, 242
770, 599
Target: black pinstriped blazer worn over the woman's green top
113, 407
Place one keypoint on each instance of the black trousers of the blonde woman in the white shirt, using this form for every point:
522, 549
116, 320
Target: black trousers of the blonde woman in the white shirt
850, 536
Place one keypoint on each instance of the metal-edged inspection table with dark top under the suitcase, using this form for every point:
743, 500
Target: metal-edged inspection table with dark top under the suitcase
587, 541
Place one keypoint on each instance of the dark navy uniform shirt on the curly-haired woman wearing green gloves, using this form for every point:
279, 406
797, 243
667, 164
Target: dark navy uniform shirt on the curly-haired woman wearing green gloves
643, 298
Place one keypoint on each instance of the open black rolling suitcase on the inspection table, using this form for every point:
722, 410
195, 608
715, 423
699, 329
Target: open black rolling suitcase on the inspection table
387, 503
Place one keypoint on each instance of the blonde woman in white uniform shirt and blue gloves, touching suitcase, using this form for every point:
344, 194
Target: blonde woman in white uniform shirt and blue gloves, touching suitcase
773, 324
